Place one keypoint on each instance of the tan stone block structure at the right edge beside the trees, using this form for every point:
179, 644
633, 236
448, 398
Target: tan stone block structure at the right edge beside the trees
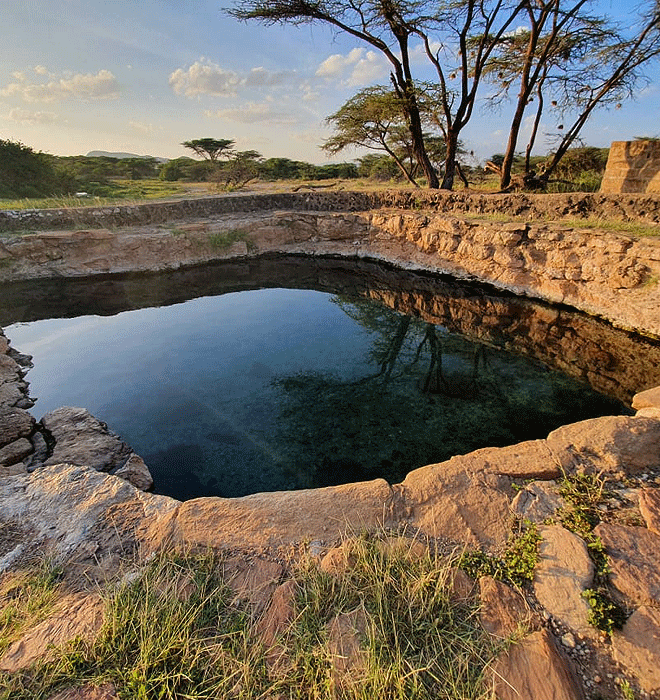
632, 166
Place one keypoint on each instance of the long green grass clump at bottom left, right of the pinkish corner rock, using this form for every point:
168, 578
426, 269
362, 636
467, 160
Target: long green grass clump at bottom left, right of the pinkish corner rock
171, 633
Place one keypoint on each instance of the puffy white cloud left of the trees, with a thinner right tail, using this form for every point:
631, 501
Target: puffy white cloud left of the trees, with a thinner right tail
205, 77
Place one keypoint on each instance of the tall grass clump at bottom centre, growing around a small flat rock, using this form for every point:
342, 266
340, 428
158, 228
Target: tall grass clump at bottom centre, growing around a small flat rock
418, 642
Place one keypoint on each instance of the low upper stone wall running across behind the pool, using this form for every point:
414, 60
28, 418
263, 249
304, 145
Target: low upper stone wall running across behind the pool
530, 206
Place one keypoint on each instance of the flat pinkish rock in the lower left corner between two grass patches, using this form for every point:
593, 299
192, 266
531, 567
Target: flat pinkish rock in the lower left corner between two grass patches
77, 615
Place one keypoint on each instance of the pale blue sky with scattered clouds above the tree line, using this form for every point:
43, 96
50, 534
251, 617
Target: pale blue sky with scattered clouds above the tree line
141, 76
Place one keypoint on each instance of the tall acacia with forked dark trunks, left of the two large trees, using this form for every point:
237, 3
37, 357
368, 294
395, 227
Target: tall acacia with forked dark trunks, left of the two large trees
391, 26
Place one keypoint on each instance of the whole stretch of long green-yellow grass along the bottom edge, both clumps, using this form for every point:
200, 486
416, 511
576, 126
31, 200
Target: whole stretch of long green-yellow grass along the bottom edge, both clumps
174, 632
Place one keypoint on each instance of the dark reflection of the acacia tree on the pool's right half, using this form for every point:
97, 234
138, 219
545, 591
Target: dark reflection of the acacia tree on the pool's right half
432, 395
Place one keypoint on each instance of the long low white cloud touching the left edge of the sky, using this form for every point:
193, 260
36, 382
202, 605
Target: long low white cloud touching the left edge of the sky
102, 85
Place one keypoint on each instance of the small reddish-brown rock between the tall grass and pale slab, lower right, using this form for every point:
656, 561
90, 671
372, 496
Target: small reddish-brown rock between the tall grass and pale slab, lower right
504, 611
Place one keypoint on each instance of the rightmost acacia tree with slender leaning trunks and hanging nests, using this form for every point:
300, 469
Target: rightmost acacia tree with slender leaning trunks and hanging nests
573, 59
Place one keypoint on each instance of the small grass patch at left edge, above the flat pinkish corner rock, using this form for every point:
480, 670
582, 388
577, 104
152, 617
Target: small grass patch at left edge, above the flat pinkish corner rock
26, 598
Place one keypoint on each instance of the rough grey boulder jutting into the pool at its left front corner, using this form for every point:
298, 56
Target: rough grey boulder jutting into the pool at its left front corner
83, 440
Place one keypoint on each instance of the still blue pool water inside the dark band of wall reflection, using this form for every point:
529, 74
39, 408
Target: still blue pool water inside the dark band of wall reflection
276, 389
